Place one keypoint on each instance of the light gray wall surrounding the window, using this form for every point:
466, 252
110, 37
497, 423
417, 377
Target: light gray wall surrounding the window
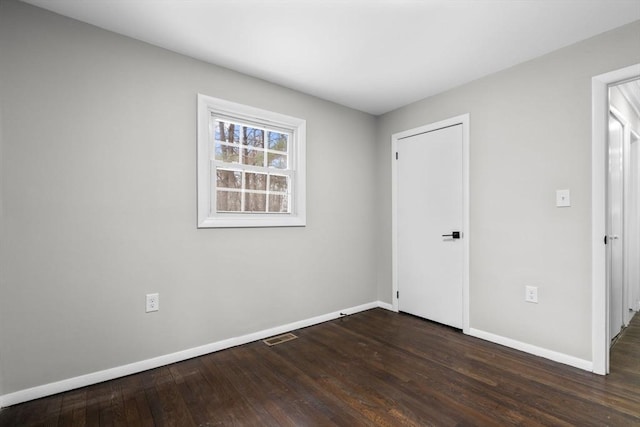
99, 192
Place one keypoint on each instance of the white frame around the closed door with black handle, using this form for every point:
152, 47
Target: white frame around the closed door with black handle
464, 121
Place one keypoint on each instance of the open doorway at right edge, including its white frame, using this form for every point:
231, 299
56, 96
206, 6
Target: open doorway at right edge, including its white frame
612, 207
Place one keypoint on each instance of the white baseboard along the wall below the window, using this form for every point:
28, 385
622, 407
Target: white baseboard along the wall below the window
143, 365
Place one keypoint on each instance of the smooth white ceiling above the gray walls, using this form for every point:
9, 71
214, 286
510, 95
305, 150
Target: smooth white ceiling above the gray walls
372, 55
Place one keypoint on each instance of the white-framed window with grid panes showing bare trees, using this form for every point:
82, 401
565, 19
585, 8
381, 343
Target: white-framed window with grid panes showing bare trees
250, 166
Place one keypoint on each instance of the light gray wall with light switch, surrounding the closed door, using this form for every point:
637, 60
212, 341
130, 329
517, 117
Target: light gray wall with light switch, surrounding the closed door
530, 135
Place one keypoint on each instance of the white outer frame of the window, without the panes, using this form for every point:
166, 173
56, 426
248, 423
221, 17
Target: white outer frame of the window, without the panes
208, 217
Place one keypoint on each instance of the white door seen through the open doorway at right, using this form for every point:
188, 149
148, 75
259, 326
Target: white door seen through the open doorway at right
615, 230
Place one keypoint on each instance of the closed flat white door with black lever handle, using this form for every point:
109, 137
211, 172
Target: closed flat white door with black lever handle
430, 259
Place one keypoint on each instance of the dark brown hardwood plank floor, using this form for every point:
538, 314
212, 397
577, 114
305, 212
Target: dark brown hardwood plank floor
373, 368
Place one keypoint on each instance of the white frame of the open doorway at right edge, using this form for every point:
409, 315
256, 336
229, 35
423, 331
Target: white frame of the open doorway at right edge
599, 292
